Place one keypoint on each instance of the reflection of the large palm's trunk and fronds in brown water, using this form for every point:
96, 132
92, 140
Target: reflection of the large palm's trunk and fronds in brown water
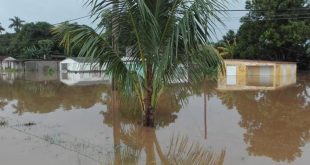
134, 143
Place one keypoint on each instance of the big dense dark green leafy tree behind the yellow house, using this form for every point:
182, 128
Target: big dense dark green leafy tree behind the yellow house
275, 30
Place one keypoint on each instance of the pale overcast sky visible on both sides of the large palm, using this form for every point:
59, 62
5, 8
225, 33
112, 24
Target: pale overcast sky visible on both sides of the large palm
56, 11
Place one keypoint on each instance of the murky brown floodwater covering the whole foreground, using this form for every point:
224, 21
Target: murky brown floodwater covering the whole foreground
45, 121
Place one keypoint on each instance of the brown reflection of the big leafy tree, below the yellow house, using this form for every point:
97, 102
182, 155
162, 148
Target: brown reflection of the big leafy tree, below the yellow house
277, 122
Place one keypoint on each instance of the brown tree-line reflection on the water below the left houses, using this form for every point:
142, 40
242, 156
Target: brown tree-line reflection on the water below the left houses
48, 96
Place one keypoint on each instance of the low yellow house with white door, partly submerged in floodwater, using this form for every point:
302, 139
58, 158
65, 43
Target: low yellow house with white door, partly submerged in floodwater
257, 75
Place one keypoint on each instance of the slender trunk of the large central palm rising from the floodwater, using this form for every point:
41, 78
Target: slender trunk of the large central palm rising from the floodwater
149, 114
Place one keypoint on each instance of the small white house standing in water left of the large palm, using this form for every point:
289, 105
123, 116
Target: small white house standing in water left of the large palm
80, 64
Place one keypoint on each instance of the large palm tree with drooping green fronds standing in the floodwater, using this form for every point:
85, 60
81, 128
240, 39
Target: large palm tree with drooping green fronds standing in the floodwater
168, 40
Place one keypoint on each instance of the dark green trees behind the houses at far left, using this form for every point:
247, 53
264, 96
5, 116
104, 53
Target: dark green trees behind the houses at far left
29, 40
